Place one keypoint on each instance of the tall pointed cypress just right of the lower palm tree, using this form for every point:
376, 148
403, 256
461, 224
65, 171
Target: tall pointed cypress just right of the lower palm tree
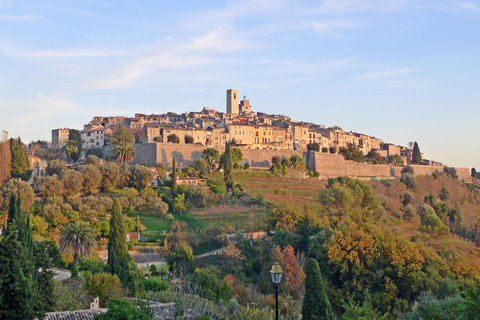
118, 258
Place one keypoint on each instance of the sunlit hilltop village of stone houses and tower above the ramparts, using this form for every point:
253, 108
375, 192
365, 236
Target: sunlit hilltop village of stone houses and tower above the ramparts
239, 124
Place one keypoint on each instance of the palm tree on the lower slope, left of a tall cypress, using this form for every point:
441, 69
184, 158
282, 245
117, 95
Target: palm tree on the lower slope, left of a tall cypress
77, 236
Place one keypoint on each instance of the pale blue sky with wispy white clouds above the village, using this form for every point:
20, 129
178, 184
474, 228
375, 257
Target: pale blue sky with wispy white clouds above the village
400, 70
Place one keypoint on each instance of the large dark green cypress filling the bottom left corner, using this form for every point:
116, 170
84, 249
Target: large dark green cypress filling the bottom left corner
25, 281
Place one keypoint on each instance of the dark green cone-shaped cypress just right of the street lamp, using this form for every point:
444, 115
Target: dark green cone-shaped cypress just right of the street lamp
315, 301
